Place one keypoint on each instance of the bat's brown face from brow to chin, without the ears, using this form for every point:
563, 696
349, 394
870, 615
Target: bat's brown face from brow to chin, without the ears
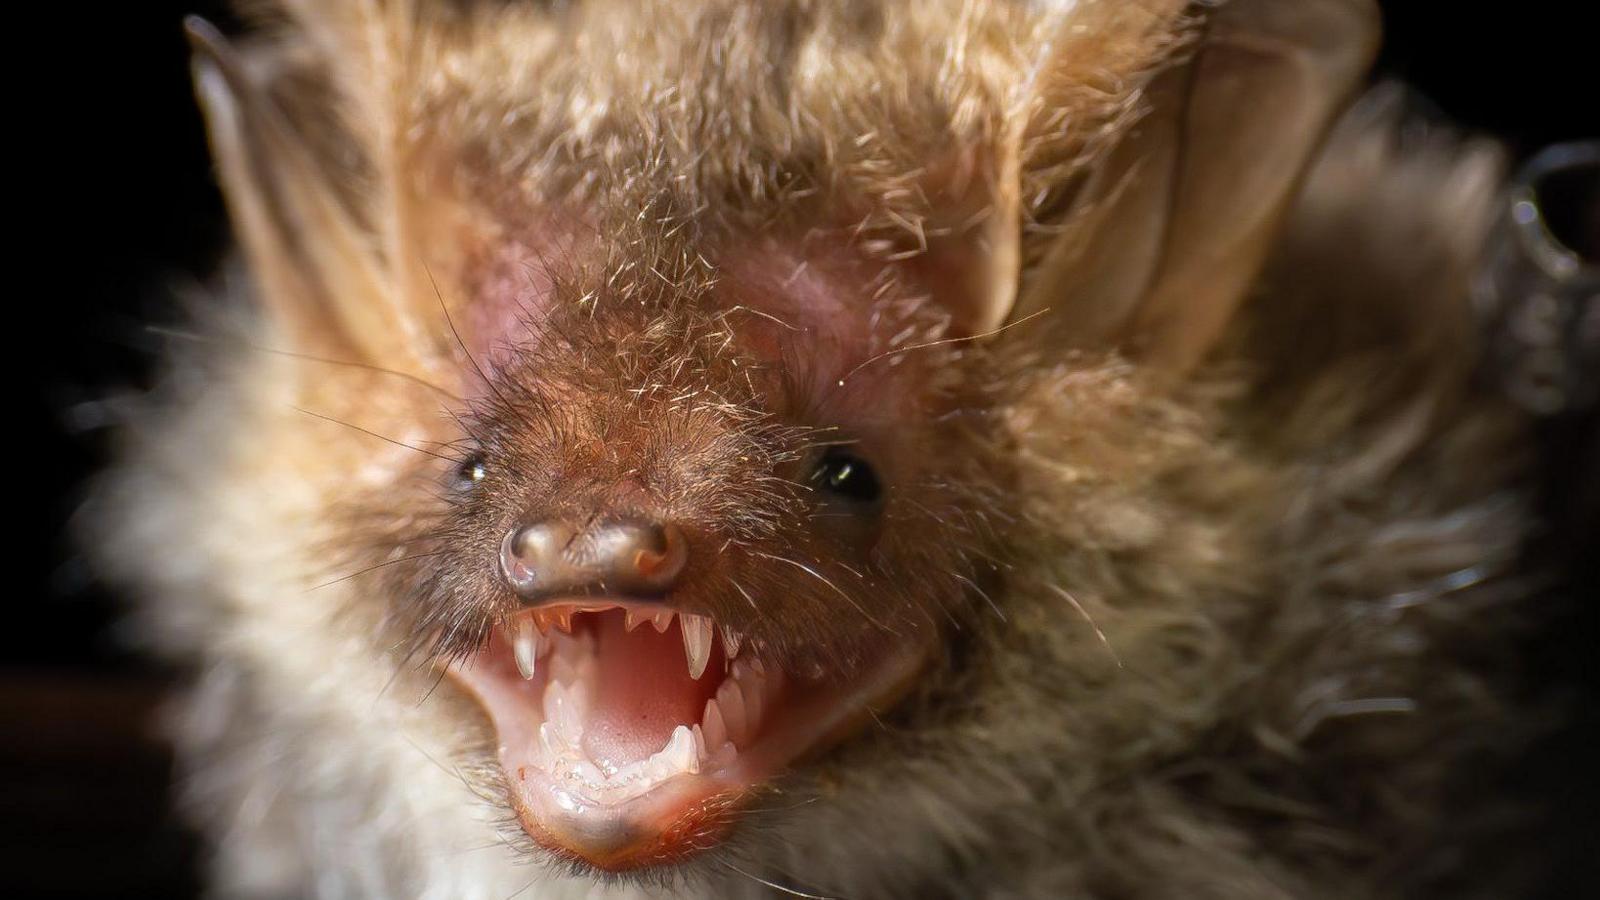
682, 542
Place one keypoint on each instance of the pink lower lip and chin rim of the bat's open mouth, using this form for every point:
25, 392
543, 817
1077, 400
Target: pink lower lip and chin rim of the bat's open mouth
689, 813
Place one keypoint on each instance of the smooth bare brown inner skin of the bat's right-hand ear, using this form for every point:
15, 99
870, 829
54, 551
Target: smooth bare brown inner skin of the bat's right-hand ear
1178, 219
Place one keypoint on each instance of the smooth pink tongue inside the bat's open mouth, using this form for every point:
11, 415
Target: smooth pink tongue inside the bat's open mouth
642, 691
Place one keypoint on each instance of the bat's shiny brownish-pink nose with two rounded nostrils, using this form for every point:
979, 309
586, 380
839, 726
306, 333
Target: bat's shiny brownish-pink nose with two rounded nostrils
628, 556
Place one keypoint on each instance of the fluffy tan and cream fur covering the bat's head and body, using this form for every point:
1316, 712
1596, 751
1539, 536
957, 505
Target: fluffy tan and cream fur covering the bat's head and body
1217, 627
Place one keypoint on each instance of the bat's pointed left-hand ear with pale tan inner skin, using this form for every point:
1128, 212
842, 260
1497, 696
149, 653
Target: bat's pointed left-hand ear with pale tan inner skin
319, 241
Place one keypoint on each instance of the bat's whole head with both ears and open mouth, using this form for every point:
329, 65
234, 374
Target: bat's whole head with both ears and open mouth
724, 384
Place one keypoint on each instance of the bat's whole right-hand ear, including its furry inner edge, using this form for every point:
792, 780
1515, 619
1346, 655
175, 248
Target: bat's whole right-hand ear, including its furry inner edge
1151, 246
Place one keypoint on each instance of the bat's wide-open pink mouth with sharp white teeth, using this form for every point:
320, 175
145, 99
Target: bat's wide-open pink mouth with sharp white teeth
630, 733
